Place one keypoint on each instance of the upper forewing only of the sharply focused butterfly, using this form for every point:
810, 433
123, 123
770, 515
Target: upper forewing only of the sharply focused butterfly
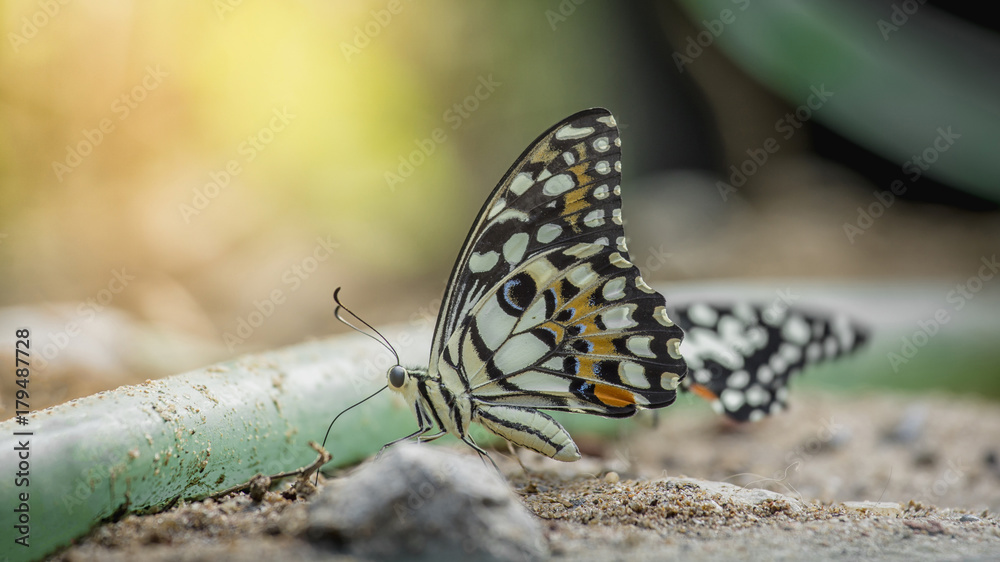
562, 190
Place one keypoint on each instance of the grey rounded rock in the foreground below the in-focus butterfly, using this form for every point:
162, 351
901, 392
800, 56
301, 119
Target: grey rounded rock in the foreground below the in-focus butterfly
425, 503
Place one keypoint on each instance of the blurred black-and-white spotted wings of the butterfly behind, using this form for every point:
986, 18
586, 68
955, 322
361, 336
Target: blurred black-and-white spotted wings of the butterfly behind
741, 357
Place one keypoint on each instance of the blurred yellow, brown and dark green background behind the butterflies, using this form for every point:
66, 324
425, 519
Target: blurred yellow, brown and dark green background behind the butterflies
185, 182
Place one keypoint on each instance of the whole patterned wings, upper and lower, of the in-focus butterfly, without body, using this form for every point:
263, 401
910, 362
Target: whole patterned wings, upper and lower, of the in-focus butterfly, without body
544, 309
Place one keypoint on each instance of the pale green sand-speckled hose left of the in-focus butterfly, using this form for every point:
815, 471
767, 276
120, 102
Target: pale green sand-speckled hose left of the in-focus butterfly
141, 447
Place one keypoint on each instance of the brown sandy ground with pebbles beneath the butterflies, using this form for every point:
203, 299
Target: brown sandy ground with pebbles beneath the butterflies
785, 488
